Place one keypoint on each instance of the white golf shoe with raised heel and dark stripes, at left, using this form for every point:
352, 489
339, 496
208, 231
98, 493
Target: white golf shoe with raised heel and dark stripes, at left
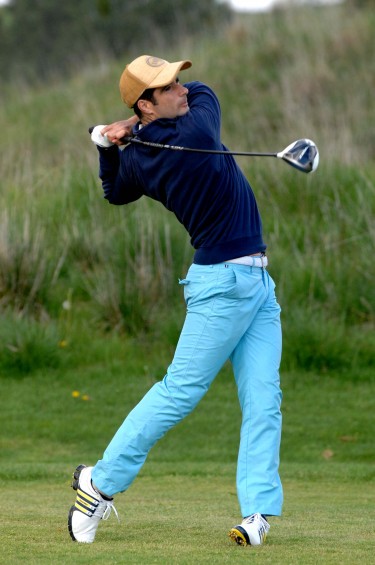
89, 507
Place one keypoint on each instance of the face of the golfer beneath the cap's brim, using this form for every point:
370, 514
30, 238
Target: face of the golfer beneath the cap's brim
170, 101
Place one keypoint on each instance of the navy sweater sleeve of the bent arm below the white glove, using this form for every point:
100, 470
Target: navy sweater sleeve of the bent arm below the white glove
116, 186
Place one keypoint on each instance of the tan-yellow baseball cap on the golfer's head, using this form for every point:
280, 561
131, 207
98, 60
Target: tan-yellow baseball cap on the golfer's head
147, 72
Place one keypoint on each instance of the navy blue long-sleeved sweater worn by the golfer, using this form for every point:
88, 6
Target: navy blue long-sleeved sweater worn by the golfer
208, 193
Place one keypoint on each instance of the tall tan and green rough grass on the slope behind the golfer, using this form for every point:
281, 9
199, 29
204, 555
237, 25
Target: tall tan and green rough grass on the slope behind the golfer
279, 76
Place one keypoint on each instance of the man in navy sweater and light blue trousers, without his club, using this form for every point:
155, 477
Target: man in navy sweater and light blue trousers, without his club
232, 311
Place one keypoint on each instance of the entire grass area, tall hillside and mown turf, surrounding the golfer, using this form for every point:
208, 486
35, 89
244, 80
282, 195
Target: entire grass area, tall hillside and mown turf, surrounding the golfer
90, 304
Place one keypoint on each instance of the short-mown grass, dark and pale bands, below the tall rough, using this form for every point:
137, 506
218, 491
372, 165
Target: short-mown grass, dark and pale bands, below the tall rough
184, 501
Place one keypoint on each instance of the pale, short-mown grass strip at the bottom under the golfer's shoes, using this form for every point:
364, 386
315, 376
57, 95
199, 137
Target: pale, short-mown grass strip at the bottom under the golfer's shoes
184, 520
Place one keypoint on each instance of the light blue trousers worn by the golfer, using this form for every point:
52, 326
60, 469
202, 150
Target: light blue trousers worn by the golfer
232, 313
